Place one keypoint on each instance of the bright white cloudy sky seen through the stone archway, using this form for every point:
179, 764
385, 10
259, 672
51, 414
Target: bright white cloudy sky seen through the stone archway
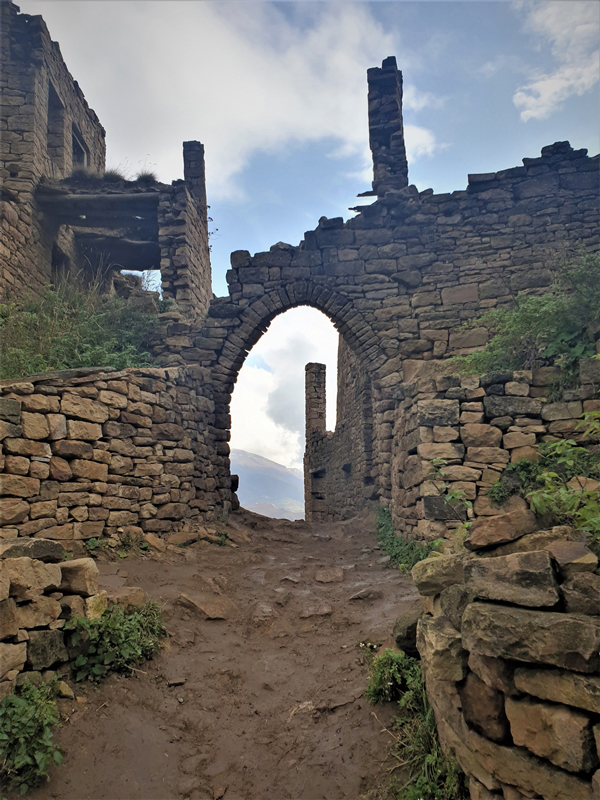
267, 407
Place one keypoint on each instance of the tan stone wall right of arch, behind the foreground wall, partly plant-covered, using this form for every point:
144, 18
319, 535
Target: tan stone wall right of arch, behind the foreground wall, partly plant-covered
477, 425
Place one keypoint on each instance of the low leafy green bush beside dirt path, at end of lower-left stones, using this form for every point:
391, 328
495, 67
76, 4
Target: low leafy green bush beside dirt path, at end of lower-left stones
116, 641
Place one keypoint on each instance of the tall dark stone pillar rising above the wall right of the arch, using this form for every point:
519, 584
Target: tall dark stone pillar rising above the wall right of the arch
386, 131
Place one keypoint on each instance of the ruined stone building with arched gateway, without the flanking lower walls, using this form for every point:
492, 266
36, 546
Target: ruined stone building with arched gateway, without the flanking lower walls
398, 280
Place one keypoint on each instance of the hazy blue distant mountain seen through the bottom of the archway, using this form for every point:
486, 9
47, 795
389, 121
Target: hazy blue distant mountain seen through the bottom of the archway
267, 487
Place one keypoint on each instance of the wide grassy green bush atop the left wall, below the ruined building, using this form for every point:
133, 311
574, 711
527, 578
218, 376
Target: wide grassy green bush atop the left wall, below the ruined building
72, 325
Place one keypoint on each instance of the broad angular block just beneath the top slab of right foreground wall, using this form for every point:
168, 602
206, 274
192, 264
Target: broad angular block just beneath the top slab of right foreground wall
526, 579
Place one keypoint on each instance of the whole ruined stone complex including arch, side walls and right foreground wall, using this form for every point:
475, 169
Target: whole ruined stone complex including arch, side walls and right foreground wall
98, 453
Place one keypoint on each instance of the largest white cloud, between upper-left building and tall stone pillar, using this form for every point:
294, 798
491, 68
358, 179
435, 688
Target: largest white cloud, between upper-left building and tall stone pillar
241, 77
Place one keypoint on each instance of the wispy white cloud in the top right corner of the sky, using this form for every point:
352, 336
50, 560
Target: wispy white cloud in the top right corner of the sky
571, 29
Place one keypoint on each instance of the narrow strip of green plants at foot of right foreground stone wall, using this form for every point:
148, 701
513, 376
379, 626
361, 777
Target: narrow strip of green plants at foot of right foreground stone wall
432, 776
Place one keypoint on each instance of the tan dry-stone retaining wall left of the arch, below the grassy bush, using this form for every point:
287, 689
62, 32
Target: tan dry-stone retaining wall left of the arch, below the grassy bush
93, 453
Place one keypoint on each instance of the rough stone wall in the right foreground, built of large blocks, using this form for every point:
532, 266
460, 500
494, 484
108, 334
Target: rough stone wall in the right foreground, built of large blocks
510, 646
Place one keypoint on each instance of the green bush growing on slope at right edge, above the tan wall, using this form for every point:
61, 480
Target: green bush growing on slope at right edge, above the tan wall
552, 329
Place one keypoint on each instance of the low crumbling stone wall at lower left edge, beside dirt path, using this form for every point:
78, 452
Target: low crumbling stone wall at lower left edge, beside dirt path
39, 592
